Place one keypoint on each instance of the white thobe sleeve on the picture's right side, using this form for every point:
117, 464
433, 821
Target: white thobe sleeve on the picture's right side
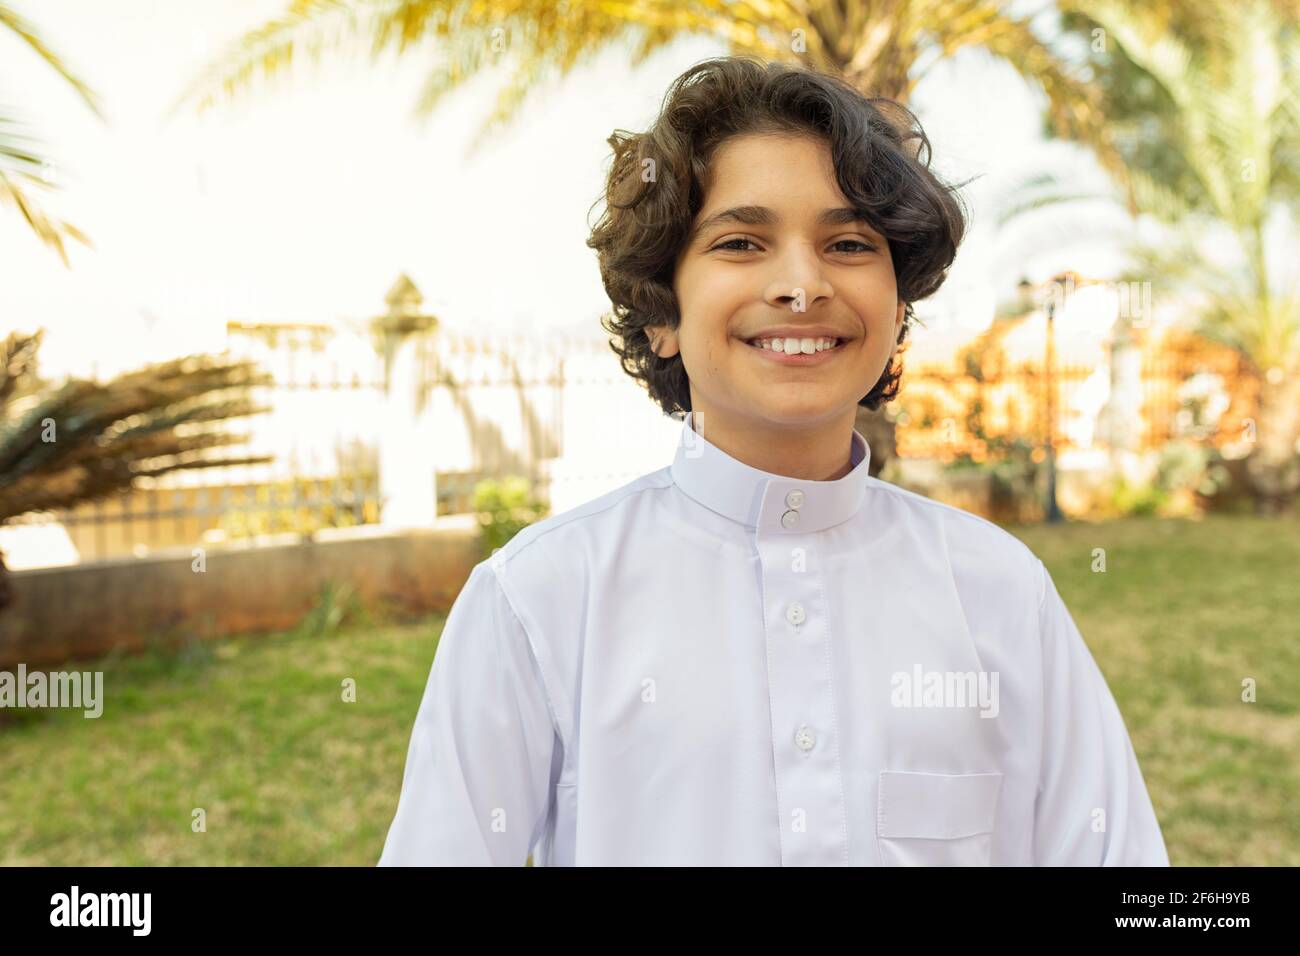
1093, 804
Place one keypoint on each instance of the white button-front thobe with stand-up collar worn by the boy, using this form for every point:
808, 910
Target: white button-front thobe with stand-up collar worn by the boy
717, 665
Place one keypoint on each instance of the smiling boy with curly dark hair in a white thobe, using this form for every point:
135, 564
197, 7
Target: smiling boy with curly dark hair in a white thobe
760, 655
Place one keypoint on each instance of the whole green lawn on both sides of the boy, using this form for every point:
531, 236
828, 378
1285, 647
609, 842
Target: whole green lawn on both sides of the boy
255, 730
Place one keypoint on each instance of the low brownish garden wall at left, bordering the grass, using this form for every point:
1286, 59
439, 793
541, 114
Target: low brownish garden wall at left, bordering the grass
86, 611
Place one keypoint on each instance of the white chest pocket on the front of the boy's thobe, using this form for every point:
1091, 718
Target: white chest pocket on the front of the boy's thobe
937, 820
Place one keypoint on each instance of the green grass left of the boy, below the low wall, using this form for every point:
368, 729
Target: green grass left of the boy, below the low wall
253, 730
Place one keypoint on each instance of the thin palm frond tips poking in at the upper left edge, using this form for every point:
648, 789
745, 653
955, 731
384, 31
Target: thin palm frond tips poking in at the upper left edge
21, 163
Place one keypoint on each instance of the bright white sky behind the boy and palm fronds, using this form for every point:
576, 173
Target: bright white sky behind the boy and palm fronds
305, 201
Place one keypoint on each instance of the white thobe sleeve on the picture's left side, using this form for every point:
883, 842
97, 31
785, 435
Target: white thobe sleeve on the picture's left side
478, 782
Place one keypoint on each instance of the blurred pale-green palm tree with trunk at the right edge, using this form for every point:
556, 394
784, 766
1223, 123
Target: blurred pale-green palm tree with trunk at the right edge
1225, 100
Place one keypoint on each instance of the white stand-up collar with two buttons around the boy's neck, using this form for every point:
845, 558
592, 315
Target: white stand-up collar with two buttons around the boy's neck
761, 500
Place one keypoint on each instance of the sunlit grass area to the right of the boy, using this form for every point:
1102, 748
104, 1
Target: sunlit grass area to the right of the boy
1184, 613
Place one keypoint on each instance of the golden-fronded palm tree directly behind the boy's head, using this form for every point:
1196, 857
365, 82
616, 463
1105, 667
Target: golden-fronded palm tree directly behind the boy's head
883, 47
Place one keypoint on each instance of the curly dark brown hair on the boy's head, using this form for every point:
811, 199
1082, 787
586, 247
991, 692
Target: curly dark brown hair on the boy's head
882, 165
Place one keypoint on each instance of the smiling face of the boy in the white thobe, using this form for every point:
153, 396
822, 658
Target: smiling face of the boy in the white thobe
794, 278
